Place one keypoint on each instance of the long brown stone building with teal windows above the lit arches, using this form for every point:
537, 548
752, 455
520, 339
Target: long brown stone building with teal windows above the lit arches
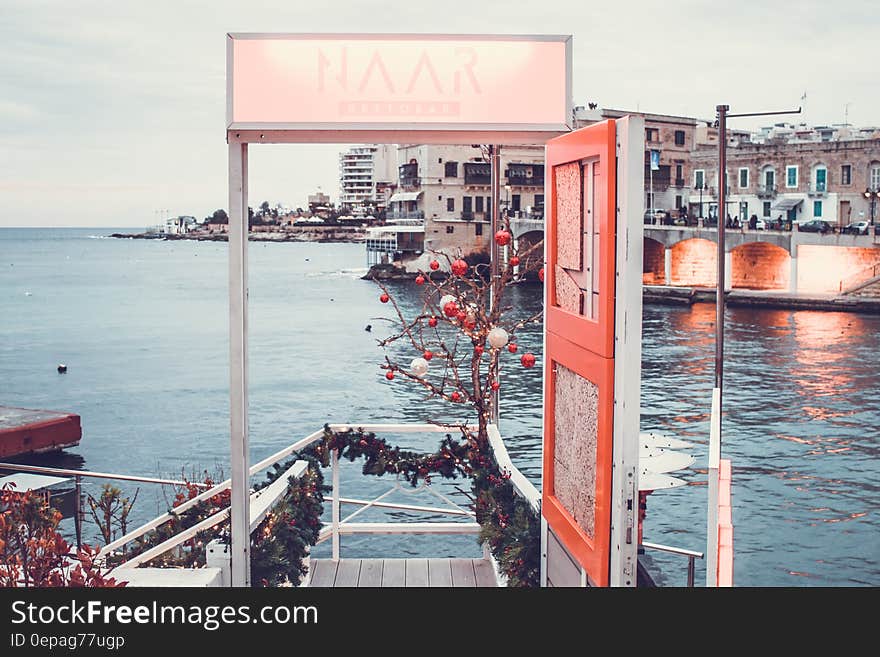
793, 172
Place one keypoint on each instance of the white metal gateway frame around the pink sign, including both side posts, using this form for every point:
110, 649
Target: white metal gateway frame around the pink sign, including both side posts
239, 136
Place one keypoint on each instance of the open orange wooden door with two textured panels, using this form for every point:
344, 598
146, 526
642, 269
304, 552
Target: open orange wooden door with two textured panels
579, 358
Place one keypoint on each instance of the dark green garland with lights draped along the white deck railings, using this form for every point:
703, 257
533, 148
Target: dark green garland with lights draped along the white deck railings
280, 544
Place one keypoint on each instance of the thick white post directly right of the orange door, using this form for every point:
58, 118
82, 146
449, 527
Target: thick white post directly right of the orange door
627, 350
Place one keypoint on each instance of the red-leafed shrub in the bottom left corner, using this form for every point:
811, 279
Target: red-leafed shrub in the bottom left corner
34, 554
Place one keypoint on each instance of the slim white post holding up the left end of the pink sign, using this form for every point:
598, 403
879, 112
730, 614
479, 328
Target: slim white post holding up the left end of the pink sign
238, 363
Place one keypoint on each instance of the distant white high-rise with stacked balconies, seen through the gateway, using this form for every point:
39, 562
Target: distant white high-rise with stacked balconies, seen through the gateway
365, 172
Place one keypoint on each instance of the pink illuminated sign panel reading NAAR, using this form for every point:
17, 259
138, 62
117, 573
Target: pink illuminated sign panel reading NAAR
398, 81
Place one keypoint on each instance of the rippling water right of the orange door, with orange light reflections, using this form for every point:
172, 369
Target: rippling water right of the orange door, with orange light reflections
802, 409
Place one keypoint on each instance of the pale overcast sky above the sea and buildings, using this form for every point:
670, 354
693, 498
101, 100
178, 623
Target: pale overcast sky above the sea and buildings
111, 112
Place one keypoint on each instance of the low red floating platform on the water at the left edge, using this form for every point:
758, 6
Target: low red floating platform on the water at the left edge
30, 431
